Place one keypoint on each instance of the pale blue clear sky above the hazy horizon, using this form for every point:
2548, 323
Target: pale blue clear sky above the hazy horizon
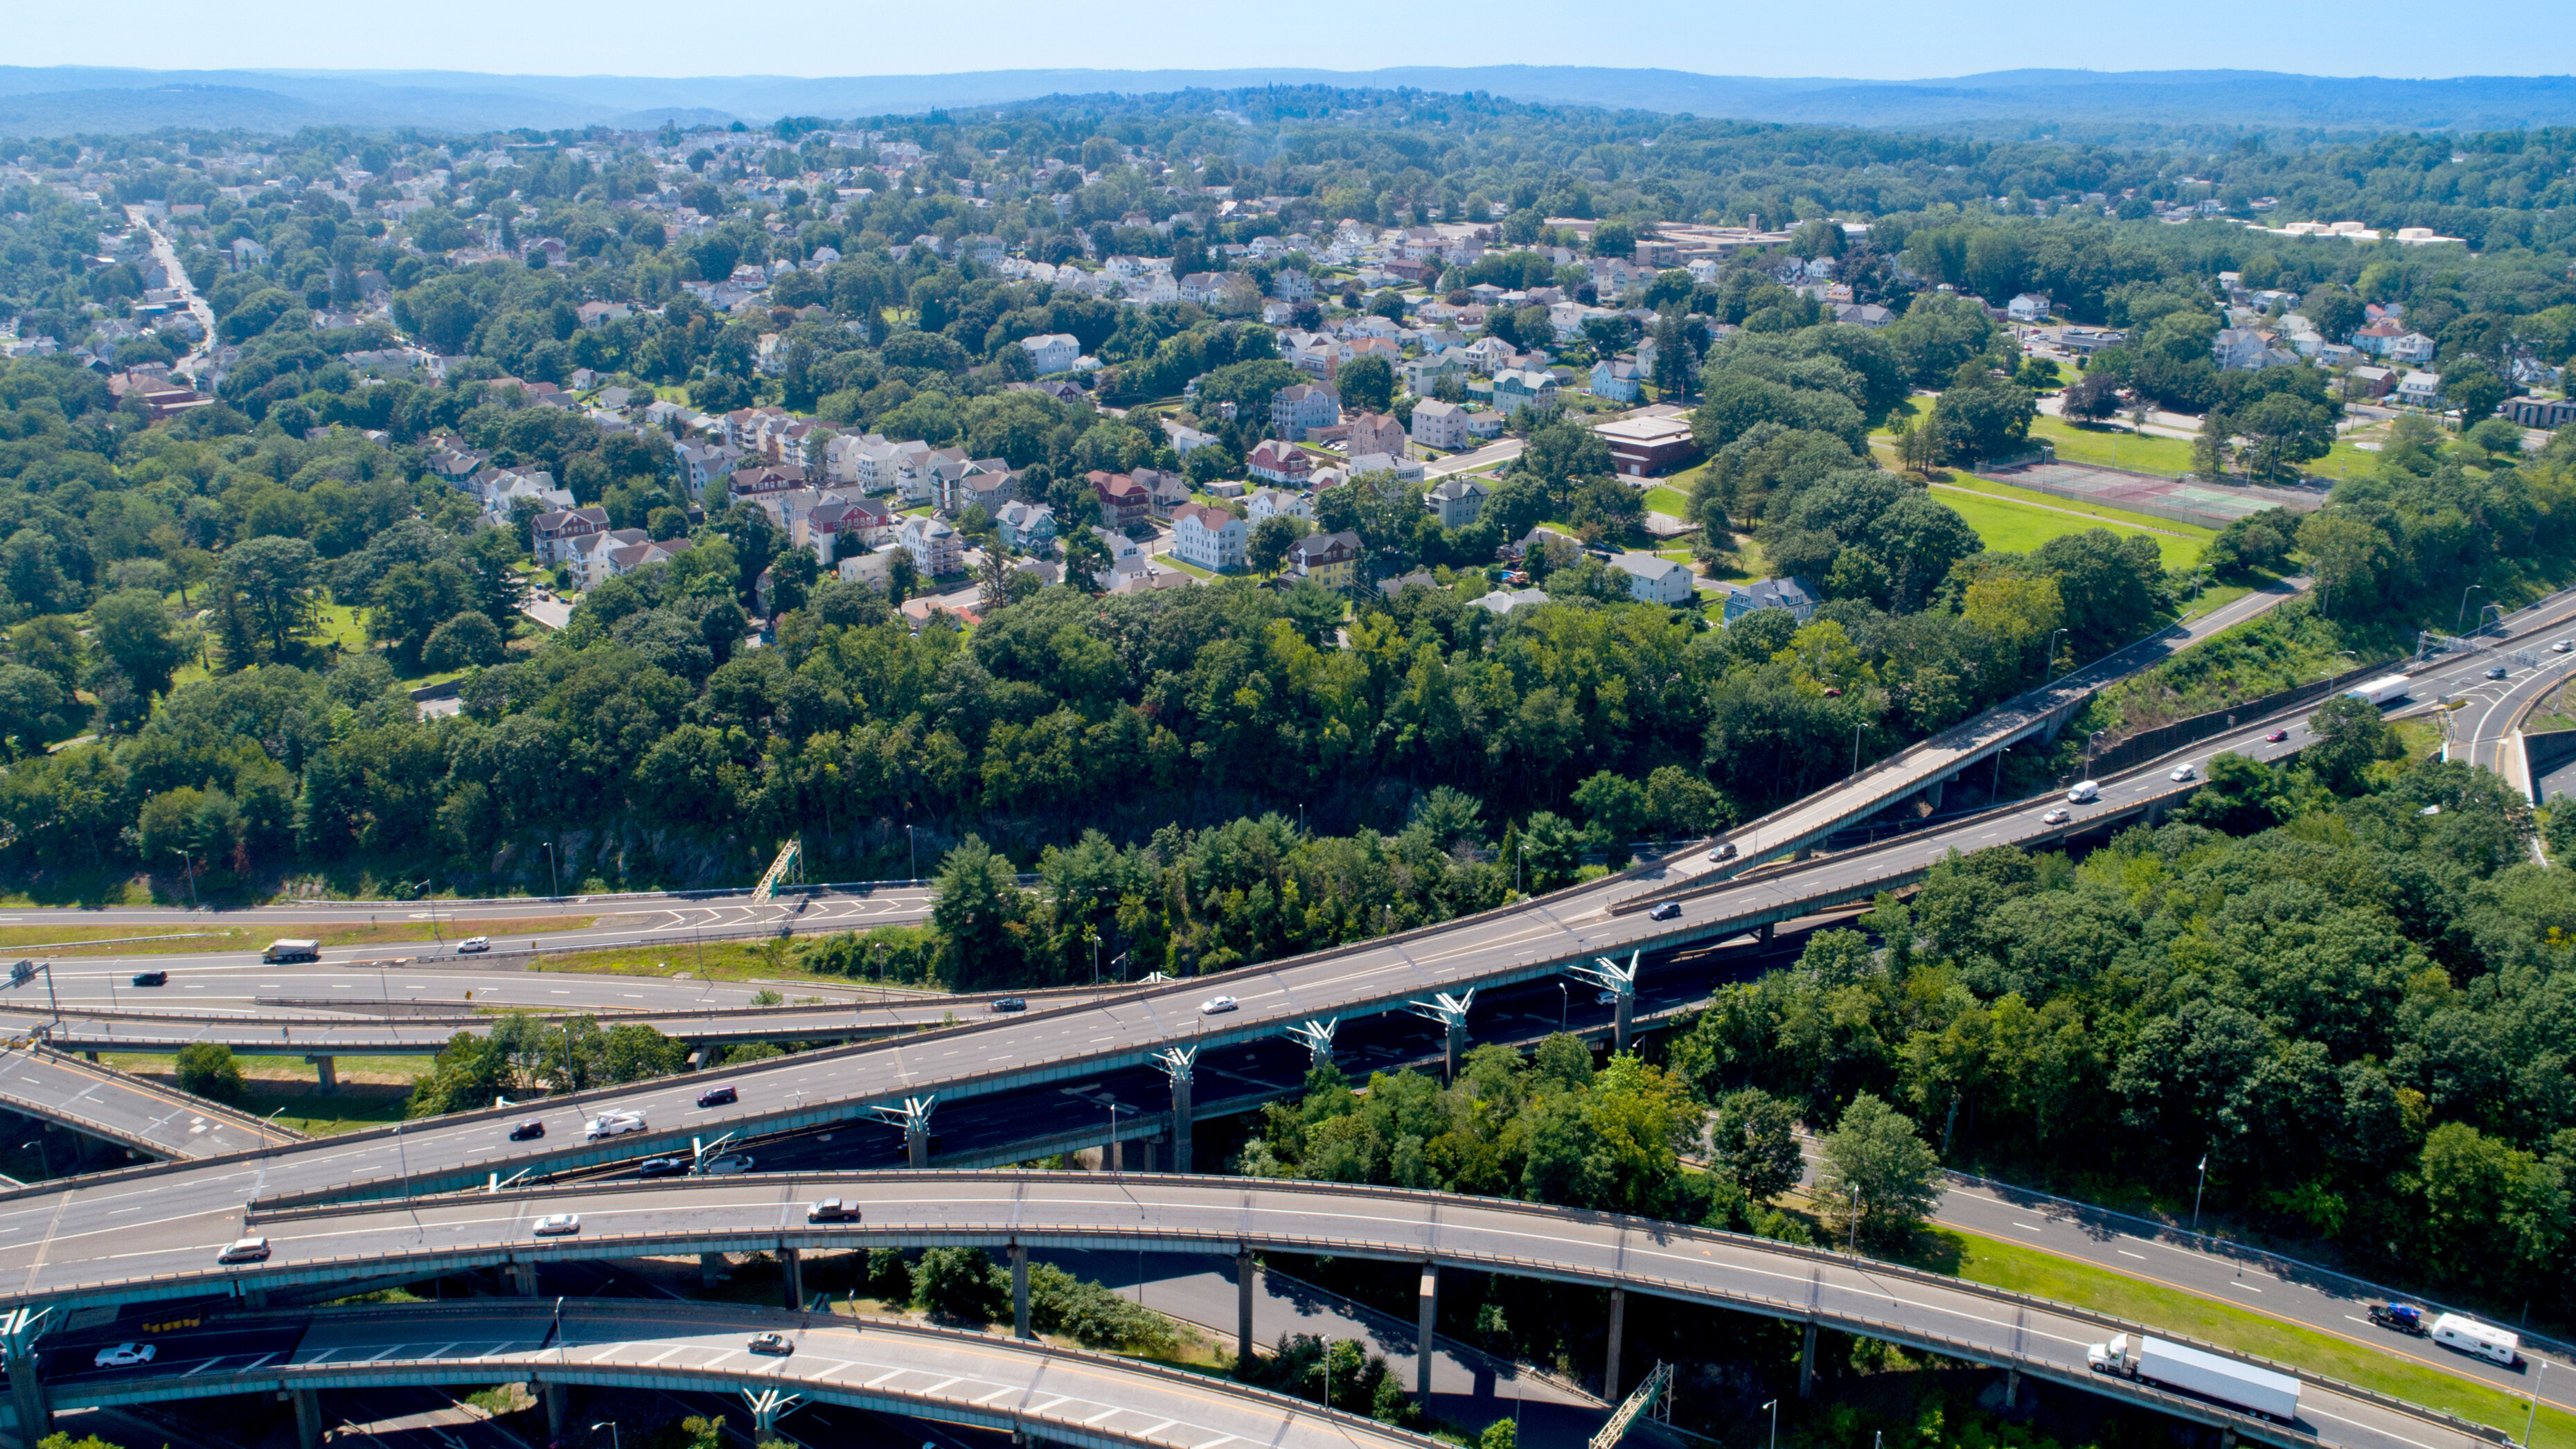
1879, 40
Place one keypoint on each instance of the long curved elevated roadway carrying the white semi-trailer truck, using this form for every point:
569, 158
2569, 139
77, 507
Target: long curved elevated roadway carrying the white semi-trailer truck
169, 1257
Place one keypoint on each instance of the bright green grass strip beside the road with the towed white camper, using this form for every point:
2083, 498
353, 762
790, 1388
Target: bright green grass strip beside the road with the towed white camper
2106, 1291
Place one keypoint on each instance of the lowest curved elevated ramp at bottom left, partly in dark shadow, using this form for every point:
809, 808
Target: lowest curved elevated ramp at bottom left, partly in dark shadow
893, 1368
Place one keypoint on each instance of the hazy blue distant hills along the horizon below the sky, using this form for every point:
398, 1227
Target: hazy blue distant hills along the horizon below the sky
2013, 102
